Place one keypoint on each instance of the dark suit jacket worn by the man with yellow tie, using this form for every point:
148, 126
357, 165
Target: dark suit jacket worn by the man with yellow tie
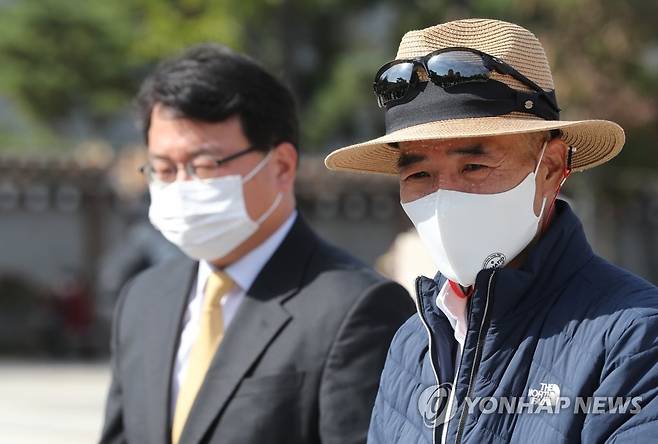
299, 363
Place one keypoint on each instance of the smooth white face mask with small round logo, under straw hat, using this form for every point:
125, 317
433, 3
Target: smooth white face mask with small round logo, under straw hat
466, 232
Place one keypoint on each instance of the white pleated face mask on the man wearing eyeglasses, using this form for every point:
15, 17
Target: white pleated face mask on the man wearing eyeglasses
206, 219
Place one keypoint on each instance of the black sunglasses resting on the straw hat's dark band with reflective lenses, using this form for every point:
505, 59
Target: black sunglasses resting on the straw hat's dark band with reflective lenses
399, 81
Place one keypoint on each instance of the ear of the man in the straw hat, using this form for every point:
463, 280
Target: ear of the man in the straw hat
550, 173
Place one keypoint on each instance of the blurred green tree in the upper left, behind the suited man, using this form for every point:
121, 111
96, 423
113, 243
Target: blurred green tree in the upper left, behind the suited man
63, 59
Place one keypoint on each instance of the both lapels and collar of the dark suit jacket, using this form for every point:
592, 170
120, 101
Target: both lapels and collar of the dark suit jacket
262, 315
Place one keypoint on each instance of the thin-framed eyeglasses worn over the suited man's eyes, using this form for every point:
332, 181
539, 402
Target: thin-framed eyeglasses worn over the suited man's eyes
201, 167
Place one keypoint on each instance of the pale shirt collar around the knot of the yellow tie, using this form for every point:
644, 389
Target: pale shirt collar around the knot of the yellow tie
245, 270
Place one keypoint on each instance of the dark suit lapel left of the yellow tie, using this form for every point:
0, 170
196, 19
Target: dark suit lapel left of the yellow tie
162, 337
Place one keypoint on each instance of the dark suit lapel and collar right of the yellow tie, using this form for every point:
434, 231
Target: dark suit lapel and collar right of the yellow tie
258, 321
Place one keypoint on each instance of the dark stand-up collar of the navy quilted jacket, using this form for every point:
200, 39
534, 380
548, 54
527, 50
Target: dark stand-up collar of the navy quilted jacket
558, 254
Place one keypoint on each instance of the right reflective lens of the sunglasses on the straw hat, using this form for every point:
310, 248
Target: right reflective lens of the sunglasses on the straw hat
454, 67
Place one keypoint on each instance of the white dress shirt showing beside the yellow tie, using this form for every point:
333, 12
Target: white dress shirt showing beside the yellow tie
244, 273
